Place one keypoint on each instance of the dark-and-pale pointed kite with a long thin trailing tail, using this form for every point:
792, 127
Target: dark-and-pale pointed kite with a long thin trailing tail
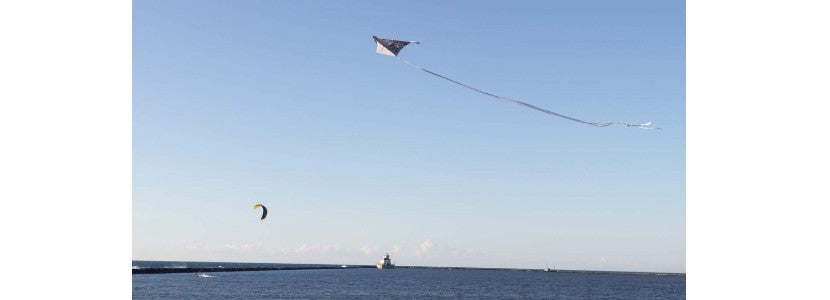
393, 47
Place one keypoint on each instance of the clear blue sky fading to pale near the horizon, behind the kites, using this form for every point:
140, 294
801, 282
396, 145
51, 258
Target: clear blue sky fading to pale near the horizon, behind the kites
355, 154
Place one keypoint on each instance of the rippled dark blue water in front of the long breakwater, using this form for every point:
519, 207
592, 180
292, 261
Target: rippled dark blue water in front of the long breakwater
406, 283
